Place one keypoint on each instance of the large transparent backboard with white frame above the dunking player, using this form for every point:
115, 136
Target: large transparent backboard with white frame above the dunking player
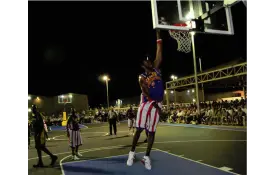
214, 16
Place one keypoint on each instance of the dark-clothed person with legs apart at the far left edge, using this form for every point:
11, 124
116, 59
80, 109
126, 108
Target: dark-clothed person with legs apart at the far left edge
40, 138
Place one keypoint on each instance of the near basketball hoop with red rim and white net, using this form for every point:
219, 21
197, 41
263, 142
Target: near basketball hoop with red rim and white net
183, 38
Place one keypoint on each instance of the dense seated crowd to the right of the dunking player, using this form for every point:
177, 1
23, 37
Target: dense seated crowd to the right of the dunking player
217, 113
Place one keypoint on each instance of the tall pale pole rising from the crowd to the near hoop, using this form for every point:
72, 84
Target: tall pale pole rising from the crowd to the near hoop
195, 71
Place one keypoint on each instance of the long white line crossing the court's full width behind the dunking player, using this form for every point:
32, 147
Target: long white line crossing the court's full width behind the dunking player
163, 142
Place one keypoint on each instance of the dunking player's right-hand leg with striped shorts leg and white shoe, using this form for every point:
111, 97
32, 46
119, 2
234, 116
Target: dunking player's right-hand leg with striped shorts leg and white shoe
151, 127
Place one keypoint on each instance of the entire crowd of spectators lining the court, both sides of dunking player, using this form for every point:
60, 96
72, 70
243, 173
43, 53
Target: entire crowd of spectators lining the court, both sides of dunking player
211, 113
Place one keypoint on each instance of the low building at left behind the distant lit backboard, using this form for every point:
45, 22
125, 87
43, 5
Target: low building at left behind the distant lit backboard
57, 104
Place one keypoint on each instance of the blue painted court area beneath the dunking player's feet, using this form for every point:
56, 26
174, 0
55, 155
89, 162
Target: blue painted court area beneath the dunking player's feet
162, 164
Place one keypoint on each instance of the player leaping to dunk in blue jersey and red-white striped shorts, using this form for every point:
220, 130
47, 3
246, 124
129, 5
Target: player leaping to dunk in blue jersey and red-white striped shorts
148, 112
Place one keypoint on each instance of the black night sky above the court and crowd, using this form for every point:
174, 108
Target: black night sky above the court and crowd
68, 45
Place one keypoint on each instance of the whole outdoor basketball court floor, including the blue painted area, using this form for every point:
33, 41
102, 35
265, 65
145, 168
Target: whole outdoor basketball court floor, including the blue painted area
178, 149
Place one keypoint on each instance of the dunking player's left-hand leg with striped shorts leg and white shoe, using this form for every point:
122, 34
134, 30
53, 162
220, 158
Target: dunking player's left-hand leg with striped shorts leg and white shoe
140, 125
